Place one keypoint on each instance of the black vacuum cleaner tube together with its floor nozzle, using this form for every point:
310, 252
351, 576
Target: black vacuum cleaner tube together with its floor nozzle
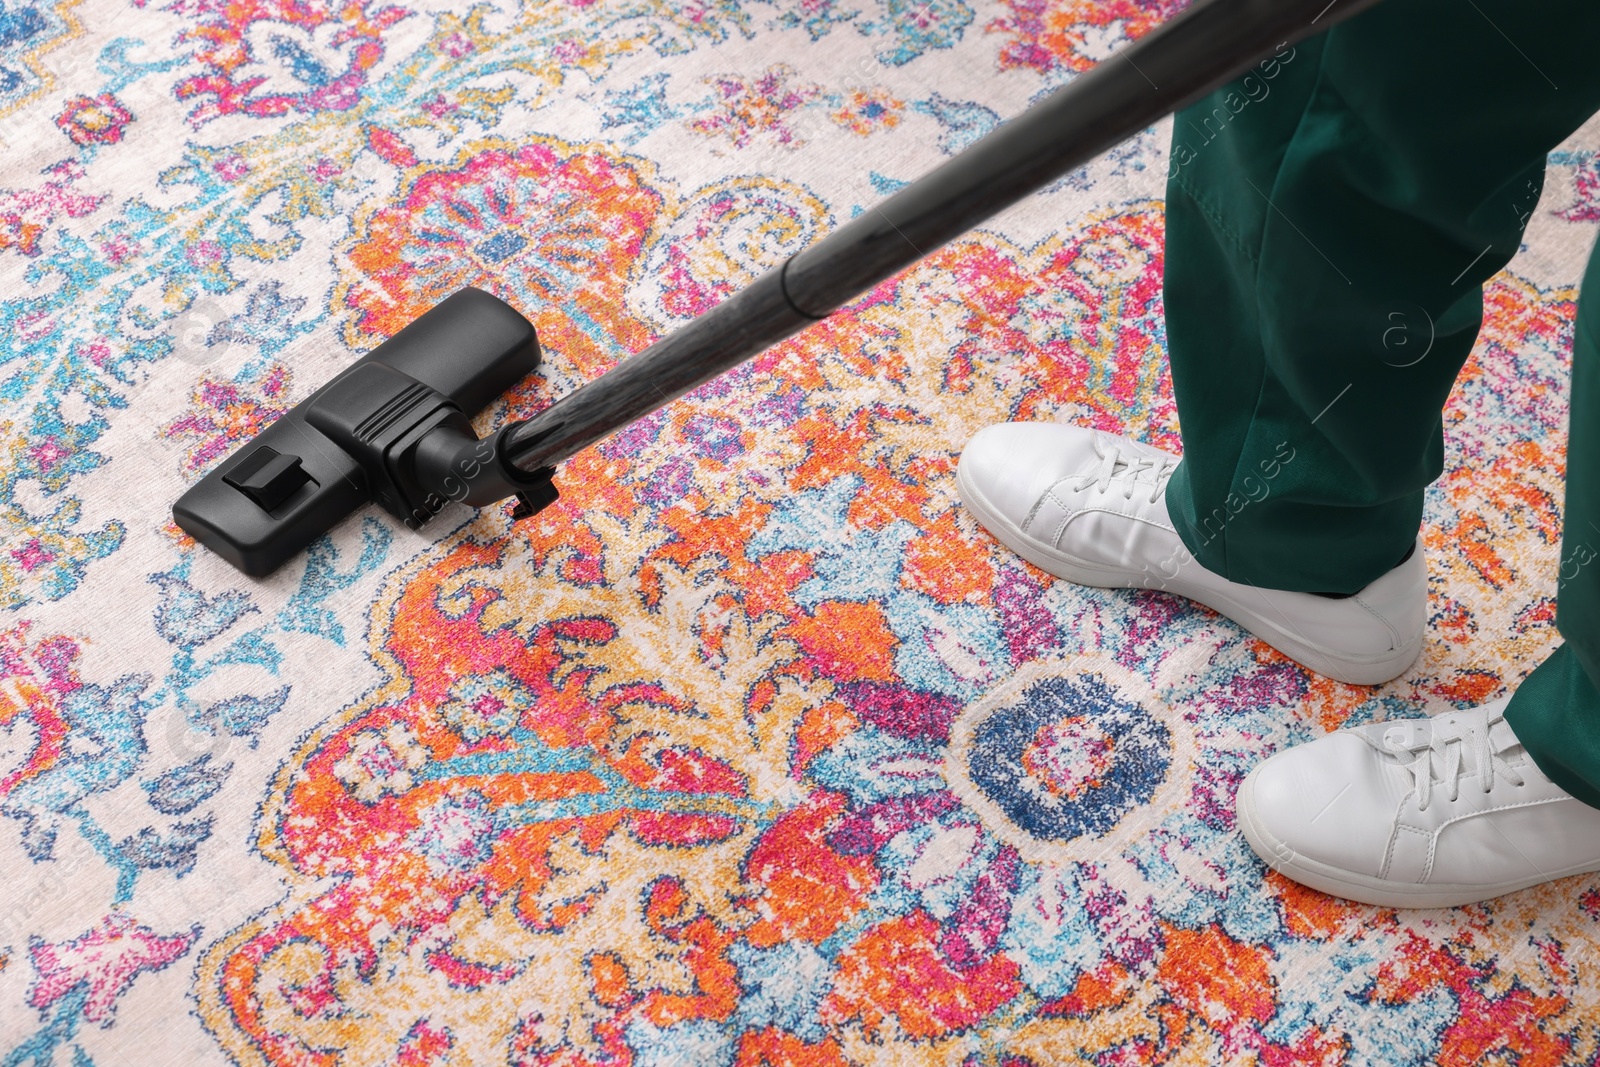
393, 430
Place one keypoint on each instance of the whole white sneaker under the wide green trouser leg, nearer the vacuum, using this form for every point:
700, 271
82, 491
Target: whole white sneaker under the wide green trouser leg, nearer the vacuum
1092, 508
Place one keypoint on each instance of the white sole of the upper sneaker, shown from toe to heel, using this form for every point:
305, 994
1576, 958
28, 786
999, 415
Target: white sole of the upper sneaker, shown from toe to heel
1358, 669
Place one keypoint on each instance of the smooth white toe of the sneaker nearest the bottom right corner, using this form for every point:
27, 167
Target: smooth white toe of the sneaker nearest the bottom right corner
1329, 801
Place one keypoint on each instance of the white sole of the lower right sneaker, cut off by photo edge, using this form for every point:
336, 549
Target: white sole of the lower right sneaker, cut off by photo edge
1364, 889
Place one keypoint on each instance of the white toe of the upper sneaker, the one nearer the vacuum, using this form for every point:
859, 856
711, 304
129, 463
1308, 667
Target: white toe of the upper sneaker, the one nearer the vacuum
1014, 465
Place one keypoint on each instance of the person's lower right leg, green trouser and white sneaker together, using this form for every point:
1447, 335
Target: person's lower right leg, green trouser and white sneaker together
1362, 813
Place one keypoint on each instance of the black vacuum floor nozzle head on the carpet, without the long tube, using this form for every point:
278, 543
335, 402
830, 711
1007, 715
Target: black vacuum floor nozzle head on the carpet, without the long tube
393, 430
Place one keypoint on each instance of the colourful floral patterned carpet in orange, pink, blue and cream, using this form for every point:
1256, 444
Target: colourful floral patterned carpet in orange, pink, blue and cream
753, 749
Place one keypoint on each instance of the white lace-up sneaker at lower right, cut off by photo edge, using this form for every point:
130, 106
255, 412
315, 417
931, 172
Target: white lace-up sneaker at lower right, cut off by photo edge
1417, 813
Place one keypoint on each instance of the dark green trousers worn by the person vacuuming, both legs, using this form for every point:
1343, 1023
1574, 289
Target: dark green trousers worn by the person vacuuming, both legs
1330, 222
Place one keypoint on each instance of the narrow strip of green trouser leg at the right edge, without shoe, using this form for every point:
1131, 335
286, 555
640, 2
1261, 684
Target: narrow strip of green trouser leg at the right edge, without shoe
1556, 711
